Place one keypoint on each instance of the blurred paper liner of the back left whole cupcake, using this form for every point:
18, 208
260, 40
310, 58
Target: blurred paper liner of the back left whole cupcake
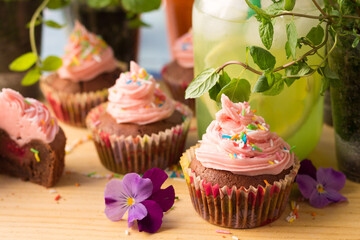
69, 107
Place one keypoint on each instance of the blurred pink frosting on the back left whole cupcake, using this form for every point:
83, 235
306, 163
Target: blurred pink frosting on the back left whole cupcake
86, 56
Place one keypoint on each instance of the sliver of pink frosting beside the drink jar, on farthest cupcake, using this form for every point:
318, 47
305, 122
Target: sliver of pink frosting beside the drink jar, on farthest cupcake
183, 50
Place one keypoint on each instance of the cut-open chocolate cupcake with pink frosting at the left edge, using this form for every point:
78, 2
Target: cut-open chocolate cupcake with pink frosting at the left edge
32, 145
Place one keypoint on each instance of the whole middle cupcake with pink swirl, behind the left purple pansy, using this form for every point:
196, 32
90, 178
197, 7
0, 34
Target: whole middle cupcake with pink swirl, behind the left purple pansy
139, 127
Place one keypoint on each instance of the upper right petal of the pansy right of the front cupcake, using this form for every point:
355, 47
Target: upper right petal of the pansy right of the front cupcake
330, 178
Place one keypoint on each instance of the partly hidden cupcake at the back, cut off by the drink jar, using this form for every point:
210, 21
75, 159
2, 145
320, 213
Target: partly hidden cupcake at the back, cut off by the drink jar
179, 73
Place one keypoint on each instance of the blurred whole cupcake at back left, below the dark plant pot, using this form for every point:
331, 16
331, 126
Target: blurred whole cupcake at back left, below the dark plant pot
89, 68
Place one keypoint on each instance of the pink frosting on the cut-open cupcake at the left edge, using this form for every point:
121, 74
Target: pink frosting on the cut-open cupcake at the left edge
25, 119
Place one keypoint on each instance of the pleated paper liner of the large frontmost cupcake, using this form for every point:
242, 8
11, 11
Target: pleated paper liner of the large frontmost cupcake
237, 208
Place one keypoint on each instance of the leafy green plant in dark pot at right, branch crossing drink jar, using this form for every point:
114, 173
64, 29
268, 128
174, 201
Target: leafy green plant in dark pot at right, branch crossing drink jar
338, 29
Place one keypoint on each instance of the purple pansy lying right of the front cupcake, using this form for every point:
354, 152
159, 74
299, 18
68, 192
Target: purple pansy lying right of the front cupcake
320, 187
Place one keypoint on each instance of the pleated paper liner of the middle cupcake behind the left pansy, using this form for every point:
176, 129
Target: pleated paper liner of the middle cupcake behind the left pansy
124, 154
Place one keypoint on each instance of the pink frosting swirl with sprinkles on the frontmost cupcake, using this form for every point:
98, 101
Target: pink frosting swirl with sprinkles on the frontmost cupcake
241, 142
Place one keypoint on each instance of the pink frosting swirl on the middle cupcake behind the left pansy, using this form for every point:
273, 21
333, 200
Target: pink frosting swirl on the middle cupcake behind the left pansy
135, 98
